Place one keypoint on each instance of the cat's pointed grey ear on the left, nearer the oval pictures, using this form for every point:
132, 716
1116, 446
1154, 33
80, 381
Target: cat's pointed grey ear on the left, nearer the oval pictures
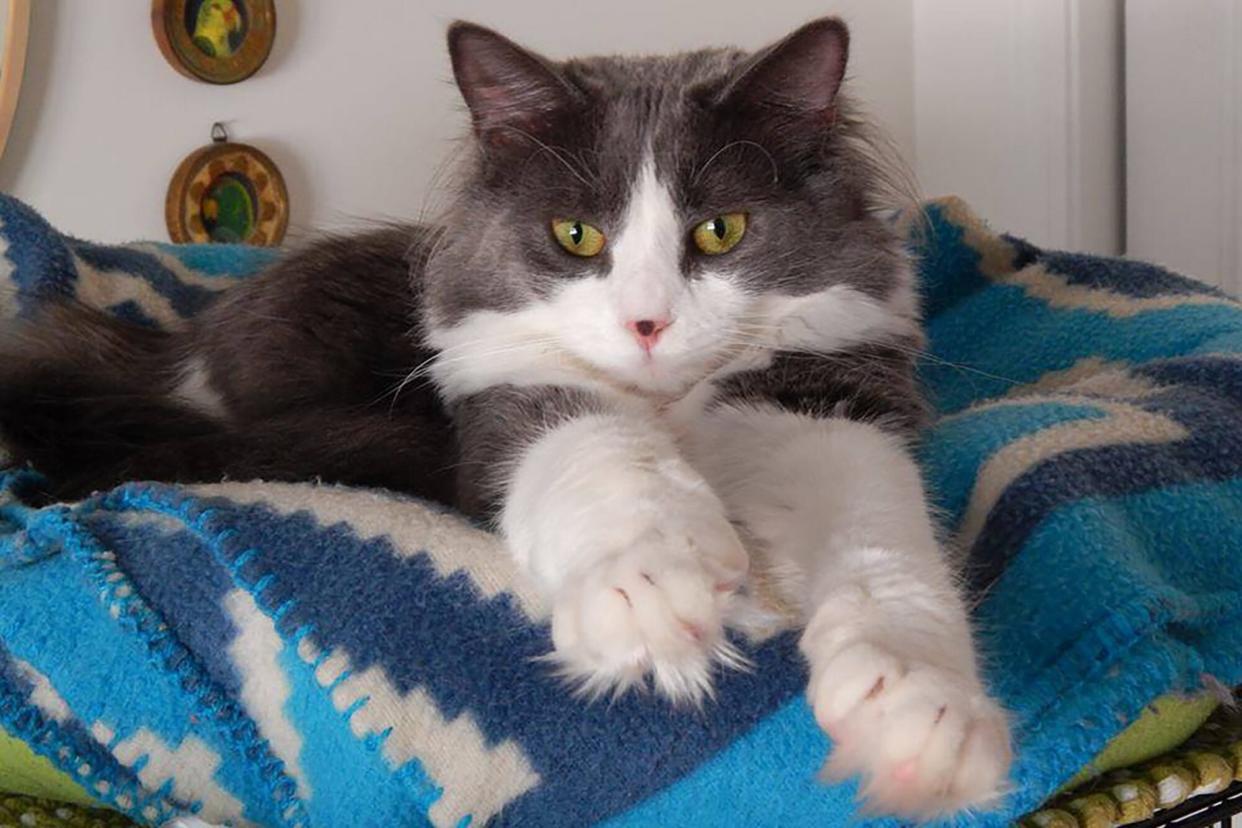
514, 95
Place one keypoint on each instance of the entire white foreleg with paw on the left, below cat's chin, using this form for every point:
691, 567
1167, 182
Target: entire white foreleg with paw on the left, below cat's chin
635, 551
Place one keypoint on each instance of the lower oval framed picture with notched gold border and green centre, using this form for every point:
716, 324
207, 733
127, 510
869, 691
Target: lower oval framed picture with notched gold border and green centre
228, 193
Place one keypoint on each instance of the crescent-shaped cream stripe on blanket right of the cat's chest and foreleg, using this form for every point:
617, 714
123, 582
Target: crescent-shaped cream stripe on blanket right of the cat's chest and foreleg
1125, 425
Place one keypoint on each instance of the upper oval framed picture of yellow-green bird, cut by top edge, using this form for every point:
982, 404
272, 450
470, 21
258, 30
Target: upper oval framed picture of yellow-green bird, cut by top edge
218, 42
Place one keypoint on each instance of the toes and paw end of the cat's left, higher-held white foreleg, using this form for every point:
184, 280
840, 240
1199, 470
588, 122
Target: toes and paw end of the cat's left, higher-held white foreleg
654, 609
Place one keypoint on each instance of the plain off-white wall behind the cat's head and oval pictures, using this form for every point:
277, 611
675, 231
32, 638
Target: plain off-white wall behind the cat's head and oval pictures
355, 104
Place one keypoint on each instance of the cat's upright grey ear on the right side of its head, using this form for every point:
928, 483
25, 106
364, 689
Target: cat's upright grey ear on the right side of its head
798, 78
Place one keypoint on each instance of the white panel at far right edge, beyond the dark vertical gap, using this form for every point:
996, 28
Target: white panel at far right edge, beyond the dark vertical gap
1184, 121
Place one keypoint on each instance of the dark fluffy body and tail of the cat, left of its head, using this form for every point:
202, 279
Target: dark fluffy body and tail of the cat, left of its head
301, 363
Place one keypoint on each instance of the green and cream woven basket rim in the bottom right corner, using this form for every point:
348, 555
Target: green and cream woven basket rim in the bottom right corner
1209, 763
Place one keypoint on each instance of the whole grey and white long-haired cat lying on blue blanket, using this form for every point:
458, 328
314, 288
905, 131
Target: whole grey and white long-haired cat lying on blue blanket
660, 320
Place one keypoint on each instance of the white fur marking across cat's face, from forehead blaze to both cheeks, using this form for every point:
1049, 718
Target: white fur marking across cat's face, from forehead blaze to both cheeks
579, 336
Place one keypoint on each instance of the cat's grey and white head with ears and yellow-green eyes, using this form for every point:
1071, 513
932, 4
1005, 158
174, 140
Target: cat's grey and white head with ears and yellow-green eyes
644, 223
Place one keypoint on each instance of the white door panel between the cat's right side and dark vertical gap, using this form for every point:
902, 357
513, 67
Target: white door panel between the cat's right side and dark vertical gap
1019, 111
